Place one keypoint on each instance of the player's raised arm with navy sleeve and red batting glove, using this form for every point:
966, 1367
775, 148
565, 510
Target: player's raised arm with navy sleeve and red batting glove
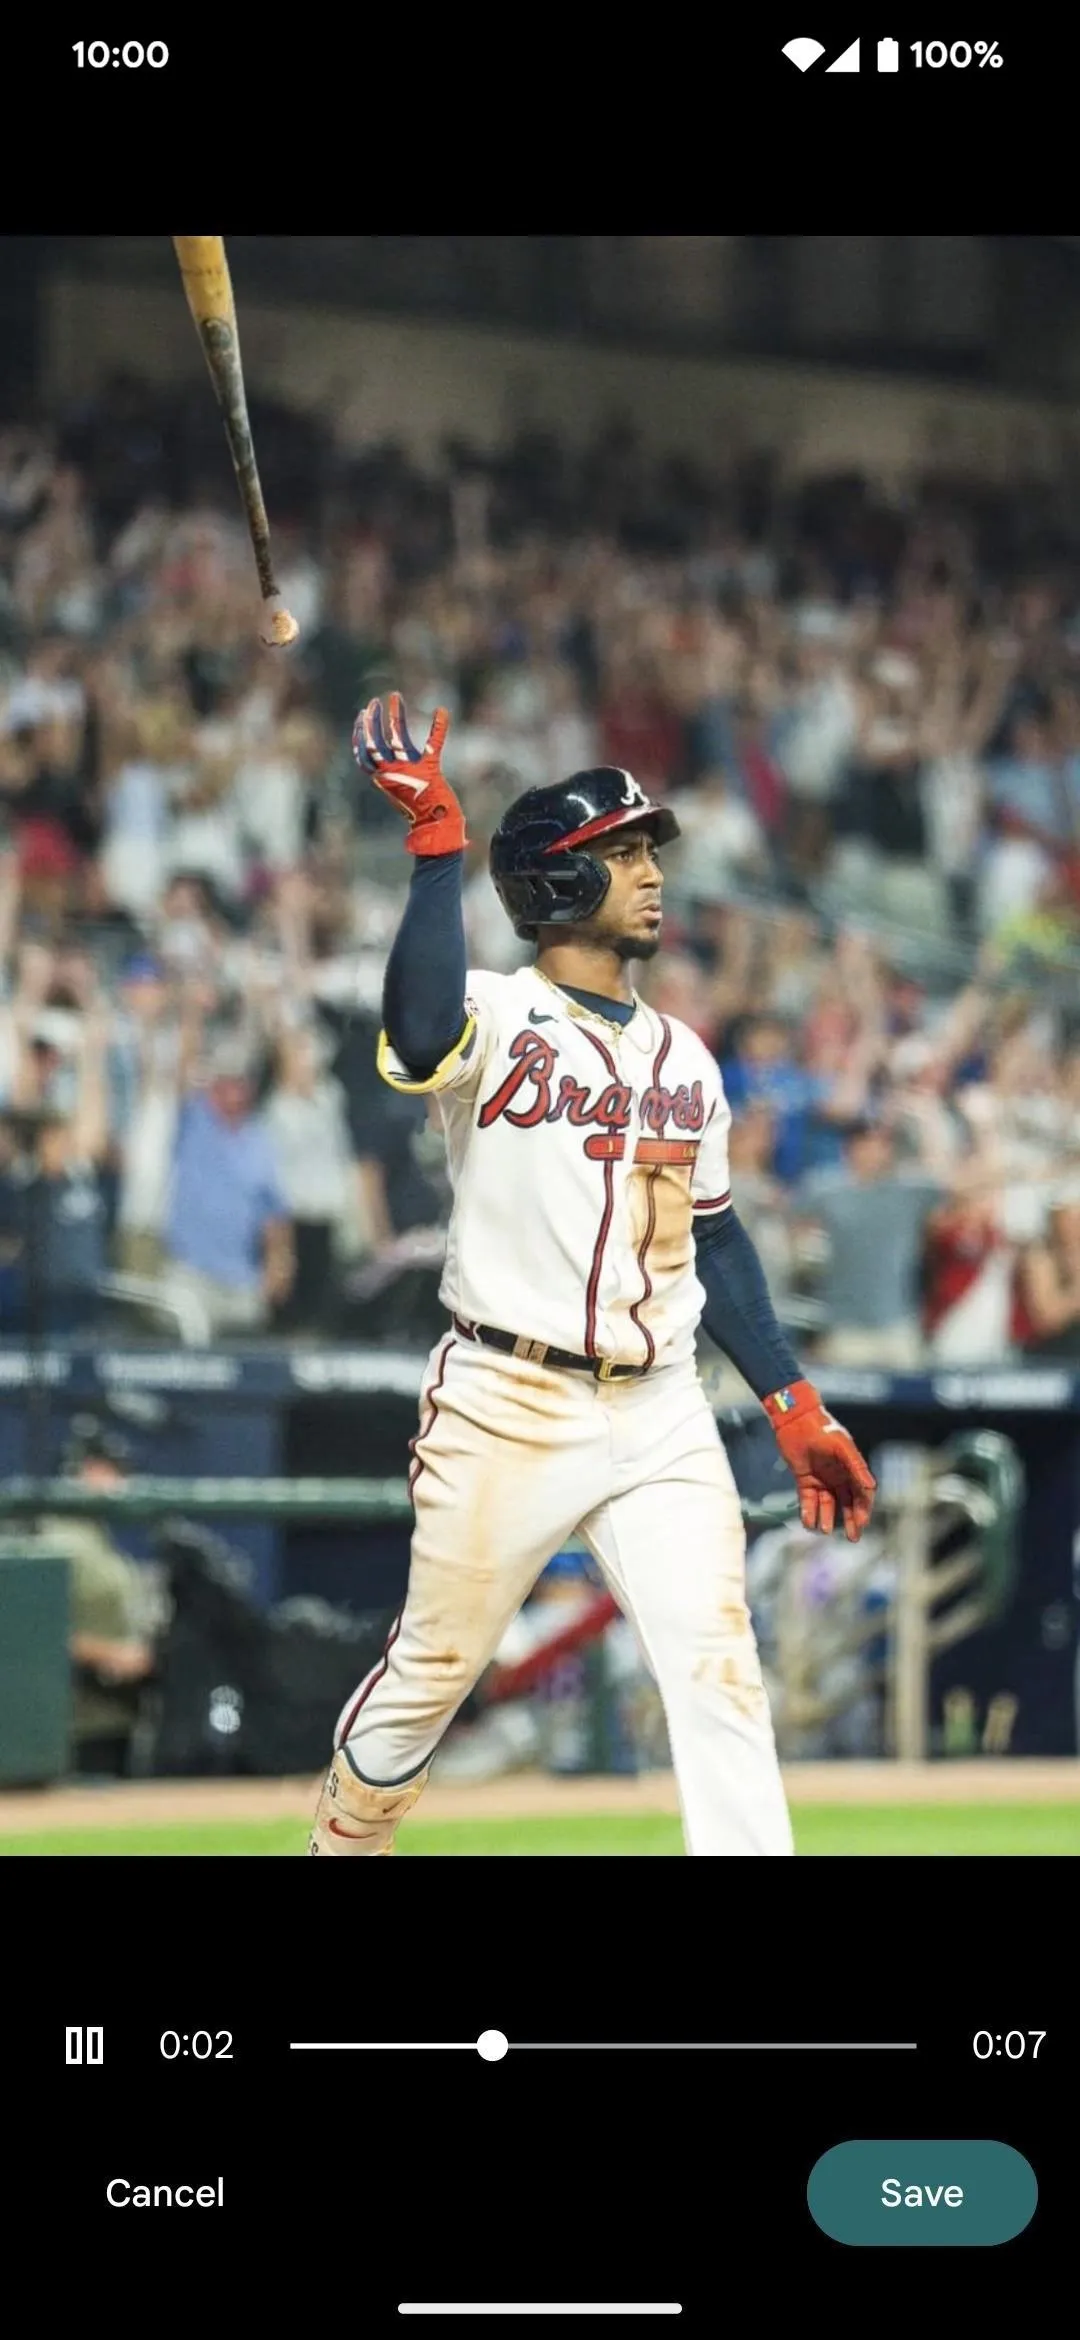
424, 991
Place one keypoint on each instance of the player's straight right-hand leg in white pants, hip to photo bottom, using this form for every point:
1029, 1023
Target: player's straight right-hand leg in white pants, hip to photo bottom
672, 1546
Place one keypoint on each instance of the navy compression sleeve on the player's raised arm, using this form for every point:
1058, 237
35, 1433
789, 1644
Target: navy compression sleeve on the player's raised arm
424, 986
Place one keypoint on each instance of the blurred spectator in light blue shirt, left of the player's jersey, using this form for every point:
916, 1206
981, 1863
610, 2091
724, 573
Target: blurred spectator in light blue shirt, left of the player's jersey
228, 1232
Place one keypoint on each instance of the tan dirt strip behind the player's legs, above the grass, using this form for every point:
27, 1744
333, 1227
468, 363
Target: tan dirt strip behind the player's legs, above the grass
536, 1794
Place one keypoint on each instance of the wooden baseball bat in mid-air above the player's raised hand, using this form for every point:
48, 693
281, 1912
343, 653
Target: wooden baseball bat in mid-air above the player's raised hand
209, 296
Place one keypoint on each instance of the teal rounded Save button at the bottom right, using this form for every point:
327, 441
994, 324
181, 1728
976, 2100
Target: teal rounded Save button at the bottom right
899, 2191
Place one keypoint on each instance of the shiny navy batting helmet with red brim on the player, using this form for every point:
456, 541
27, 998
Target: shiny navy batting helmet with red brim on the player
541, 862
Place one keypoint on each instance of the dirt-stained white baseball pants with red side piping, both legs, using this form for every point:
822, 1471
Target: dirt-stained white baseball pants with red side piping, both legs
511, 1461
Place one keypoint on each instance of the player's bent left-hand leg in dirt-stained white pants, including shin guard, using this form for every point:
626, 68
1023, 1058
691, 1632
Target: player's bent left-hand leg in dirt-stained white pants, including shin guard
501, 1466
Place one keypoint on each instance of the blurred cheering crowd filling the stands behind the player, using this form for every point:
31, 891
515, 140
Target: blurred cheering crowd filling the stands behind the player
864, 708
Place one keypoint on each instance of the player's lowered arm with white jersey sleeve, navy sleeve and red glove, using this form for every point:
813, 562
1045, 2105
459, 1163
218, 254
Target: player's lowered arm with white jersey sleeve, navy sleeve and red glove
740, 1316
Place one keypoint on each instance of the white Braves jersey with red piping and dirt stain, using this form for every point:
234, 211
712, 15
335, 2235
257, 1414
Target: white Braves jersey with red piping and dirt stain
581, 1157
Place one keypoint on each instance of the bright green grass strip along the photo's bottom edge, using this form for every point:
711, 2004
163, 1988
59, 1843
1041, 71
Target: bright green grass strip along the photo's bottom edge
943, 1831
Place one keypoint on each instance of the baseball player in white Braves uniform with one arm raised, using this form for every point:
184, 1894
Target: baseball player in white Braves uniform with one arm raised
593, 1232
